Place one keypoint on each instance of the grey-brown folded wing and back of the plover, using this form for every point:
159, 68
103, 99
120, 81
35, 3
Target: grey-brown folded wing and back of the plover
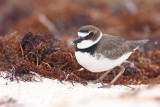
114, 47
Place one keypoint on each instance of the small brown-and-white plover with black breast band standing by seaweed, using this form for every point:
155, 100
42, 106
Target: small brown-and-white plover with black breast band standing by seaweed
99, 52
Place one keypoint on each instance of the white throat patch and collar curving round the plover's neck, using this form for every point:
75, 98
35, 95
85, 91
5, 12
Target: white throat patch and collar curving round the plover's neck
88, 43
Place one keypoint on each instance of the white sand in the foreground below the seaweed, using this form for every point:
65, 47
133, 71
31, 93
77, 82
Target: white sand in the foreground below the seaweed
52, 93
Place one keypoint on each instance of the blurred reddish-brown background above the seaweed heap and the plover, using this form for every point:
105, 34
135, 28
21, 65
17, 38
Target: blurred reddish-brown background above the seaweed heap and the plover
131, 19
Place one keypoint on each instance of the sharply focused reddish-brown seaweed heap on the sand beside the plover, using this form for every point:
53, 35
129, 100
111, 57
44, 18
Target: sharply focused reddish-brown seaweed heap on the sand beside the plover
43, 55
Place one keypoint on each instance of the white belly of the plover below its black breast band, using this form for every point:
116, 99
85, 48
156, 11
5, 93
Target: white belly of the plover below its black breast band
99, 64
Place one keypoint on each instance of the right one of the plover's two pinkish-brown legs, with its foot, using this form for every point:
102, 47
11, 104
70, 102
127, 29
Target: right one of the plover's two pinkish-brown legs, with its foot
111, 83
